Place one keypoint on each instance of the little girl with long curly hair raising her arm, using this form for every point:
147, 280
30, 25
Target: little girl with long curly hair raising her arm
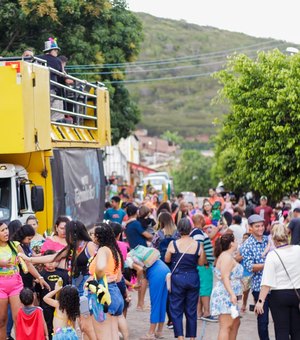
66, 311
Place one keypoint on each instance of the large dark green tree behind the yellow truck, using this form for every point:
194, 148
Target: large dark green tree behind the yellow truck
90, 32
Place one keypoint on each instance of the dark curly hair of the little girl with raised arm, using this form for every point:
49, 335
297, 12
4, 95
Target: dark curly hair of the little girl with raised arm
69, 302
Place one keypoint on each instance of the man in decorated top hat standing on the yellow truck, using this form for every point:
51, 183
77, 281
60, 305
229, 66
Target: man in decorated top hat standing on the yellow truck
51, 51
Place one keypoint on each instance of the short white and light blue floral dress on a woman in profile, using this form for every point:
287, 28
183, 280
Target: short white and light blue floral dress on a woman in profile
220, 298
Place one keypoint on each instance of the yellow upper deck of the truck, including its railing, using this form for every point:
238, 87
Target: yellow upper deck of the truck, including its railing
51, 108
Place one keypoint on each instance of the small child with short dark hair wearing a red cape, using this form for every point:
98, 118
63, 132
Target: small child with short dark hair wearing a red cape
30, 320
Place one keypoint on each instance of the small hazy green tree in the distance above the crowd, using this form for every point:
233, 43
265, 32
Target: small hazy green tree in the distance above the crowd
193, 173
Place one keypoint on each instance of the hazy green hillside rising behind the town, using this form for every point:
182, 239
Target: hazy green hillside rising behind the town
184, 104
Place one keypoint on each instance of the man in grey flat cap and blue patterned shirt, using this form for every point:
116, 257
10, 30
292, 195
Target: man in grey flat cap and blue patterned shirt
252, 251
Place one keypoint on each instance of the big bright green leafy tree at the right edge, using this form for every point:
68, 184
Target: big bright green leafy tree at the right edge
258, 146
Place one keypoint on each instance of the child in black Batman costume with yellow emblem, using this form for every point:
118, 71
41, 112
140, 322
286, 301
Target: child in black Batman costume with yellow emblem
51, 274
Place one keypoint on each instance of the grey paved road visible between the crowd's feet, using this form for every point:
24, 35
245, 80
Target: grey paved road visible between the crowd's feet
139, 322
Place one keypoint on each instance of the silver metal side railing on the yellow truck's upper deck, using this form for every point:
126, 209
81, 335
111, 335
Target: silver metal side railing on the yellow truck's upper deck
79, 106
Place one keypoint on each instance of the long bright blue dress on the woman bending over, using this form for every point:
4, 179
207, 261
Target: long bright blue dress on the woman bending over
156, 275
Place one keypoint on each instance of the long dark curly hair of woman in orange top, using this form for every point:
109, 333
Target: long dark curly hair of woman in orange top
105, 238
